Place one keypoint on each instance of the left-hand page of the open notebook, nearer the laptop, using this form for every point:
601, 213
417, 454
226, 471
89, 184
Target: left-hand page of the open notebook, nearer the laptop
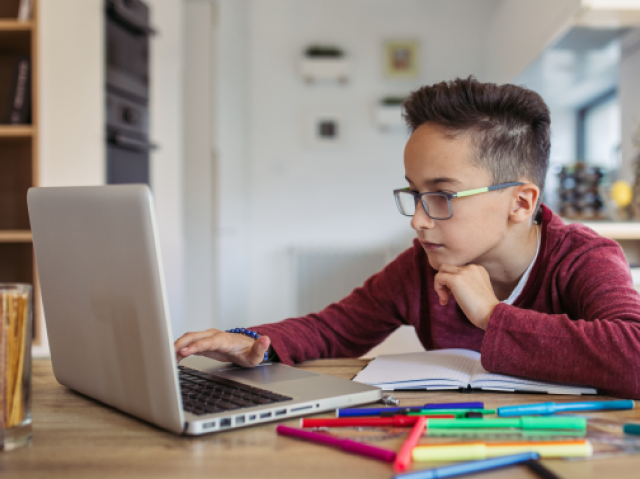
448, 364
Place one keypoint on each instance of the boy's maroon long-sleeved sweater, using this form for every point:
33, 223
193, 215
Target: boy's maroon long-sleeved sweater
576, 321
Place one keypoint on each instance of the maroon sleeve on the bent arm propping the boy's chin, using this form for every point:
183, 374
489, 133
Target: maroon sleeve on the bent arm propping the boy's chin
596, 343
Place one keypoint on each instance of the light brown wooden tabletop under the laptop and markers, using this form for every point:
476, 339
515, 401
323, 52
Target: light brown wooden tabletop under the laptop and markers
76, 437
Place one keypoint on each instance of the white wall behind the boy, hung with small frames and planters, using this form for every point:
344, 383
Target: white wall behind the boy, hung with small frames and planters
289, 192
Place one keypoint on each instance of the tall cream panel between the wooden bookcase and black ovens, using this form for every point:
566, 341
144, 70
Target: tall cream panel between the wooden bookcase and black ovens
71, 96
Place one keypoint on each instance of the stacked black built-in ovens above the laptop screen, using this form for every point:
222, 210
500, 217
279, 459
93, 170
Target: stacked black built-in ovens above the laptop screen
127, 85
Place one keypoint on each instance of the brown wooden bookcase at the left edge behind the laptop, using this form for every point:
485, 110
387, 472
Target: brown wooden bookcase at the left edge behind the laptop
19, 165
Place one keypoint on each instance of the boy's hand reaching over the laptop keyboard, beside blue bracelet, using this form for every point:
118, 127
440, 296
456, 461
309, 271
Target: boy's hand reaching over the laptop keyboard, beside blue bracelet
228, 347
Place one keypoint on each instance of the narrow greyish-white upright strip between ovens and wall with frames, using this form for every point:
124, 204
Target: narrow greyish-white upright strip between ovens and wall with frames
199, 166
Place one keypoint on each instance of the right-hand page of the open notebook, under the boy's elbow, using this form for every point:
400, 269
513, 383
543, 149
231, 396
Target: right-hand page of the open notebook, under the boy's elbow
481, 378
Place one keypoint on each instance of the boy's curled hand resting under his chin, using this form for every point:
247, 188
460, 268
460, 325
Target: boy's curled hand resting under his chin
472, 290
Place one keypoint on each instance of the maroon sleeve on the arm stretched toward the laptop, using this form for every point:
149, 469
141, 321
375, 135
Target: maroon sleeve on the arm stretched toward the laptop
357, 323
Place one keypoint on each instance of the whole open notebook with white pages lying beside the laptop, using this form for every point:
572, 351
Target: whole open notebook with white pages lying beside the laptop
450, 369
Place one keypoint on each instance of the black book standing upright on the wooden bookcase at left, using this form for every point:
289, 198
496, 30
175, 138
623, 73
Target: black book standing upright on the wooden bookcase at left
15, 89
